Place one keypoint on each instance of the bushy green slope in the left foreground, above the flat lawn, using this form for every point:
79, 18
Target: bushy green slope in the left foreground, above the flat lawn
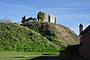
14, 37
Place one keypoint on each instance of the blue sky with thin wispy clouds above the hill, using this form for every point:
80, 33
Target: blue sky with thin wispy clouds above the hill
69, 13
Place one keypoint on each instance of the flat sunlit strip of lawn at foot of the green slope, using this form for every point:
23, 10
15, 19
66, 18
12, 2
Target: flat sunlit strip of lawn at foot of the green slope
22, 55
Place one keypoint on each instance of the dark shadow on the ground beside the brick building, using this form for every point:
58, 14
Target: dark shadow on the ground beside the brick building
70, 53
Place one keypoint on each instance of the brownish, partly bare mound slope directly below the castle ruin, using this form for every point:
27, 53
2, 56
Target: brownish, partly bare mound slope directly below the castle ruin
58, 34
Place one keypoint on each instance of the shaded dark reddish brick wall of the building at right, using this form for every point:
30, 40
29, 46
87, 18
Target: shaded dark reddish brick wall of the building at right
85, 48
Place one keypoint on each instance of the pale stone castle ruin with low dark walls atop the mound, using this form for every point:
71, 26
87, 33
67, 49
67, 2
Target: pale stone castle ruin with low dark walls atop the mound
47, 18
